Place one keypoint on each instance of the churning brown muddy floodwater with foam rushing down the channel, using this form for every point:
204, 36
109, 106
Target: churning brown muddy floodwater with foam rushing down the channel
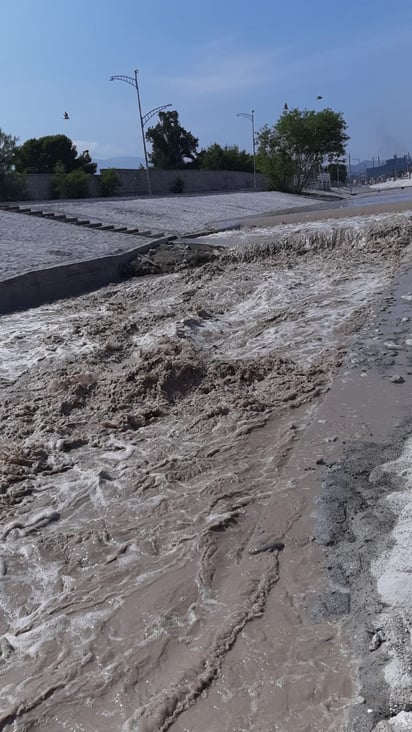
152, 575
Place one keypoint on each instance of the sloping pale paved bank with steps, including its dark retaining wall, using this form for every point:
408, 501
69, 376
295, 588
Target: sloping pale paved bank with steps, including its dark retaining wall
61, 249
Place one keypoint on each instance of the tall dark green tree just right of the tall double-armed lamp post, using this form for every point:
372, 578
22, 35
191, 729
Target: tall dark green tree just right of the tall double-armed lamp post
172, 145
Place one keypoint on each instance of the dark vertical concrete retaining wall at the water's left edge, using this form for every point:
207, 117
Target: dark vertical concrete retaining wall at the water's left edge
47, 285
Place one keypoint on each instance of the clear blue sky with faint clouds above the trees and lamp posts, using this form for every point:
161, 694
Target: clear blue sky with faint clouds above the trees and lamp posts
210, 60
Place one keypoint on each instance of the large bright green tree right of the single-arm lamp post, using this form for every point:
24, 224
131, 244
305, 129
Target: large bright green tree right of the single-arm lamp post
295, 149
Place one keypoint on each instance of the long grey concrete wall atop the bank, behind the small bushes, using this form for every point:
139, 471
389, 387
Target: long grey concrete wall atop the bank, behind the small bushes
134, 182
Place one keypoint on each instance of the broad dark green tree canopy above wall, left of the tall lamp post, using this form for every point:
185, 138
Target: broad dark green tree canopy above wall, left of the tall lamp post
43, 154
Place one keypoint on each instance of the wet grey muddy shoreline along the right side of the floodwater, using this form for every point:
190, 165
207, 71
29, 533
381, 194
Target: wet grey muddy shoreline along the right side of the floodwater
355, 517
